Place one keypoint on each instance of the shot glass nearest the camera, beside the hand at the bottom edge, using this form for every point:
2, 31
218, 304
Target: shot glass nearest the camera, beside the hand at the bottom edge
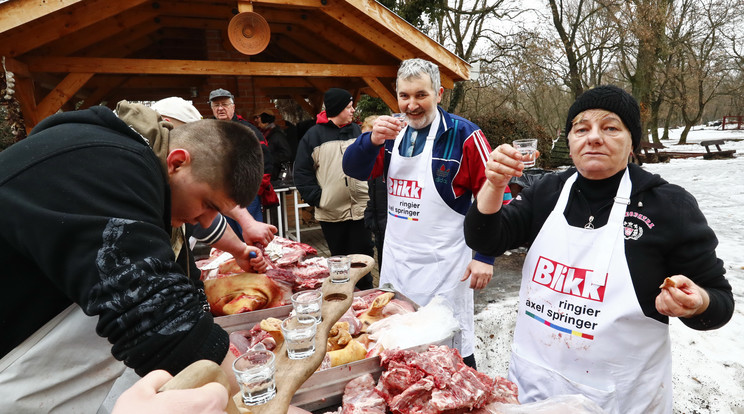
254, 371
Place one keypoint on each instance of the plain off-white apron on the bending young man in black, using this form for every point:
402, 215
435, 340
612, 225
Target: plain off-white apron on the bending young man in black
64, 367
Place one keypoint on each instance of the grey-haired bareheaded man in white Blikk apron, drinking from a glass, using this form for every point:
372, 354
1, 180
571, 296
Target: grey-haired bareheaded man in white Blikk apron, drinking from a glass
434, 163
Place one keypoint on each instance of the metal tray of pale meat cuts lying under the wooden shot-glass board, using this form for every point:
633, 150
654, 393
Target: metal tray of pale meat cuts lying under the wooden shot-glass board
354, 343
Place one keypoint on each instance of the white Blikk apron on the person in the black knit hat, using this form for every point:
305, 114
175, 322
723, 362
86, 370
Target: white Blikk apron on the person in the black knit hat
580, 329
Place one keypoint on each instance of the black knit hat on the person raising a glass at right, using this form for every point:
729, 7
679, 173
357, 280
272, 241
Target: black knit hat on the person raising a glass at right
613, 99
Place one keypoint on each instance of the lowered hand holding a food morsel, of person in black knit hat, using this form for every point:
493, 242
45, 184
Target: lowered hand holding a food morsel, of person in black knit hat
682, 299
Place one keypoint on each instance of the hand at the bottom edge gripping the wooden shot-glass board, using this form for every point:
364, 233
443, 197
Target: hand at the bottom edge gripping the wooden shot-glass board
143, 398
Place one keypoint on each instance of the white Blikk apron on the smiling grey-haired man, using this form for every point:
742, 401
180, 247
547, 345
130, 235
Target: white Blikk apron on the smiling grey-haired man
425, 251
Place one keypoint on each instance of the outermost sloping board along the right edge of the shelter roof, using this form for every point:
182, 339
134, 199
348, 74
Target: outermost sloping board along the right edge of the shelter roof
404, 30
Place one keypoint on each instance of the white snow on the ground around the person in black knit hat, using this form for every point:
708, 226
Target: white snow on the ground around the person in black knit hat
708, 366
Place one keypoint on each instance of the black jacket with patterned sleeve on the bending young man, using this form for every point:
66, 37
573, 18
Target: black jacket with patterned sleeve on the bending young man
85, 212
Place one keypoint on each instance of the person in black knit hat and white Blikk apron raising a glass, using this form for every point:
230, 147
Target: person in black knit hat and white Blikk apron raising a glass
615, 252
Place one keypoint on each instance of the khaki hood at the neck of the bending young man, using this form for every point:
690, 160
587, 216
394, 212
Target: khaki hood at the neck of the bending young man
149, 125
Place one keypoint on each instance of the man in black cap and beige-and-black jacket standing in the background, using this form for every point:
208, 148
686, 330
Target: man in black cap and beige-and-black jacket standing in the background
339, 200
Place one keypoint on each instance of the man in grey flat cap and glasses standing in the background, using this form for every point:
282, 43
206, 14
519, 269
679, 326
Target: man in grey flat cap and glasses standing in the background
222, 103
